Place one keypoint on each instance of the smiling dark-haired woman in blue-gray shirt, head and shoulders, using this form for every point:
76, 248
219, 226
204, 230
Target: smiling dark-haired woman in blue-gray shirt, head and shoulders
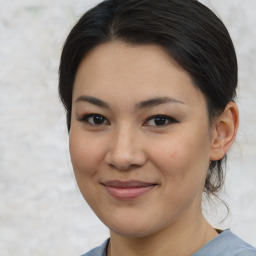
149, 90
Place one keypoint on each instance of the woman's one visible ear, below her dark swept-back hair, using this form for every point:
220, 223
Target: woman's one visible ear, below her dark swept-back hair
224, 131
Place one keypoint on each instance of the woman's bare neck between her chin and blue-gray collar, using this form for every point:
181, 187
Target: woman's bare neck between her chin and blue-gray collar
179, 239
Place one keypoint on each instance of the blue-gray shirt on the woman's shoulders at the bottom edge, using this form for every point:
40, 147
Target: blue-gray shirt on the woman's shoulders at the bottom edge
225, 244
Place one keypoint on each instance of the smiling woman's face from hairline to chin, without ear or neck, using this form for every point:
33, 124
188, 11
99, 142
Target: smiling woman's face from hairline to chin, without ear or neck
140, 139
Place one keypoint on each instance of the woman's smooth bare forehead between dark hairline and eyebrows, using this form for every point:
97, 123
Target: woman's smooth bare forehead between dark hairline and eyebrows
133, 72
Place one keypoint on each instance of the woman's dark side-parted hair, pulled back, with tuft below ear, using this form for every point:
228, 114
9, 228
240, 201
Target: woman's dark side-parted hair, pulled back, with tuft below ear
186, 29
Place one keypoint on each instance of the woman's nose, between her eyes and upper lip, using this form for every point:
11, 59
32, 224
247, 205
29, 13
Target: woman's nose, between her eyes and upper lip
126, 150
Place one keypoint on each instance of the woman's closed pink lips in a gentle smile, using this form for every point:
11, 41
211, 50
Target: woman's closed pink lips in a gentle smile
128, 189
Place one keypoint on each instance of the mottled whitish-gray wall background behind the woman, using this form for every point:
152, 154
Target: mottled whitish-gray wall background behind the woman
41, 209
